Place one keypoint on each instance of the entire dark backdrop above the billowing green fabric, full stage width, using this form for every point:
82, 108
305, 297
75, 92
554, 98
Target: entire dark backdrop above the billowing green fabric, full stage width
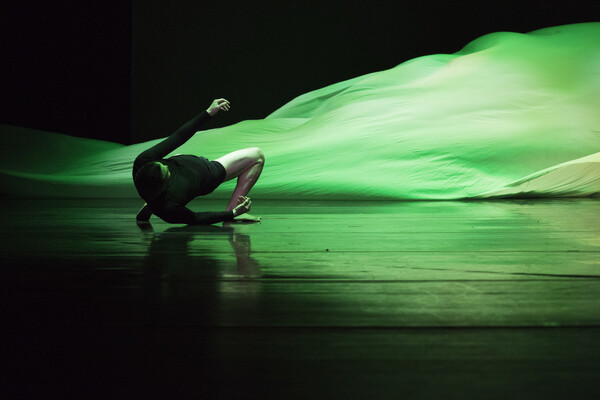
133, 70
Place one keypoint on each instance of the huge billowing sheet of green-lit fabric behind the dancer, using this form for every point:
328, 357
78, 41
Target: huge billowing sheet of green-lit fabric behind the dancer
508, 114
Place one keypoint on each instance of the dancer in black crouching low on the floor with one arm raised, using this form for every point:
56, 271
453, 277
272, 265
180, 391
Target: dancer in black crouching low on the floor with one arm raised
168, 184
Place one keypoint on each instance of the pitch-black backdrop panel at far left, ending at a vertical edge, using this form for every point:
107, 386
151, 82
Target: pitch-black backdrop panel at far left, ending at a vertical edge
66, 67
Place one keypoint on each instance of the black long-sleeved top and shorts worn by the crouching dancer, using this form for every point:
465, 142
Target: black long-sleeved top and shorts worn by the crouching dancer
190, 177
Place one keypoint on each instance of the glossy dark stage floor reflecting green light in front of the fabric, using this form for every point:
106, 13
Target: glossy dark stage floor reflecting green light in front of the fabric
322, 300
